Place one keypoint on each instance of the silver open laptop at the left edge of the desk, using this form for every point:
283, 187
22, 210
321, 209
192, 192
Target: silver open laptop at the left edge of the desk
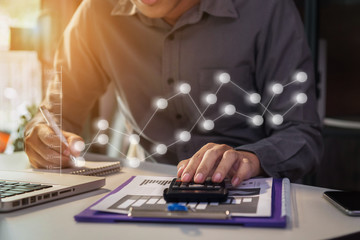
24, 189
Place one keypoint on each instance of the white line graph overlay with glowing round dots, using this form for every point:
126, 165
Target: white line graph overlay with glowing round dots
207, 124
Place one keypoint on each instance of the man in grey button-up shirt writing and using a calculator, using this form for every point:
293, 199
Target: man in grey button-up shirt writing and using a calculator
227, 49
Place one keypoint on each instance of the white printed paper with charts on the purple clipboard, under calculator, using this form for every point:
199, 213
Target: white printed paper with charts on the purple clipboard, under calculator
251, 199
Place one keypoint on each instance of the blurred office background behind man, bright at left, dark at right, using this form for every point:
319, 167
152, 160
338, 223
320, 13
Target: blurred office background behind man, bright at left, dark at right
30, 30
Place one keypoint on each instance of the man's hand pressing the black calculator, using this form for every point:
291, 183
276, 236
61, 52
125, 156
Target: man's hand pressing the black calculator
219, 161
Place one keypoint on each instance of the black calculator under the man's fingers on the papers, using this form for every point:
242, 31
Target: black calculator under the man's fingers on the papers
208, 191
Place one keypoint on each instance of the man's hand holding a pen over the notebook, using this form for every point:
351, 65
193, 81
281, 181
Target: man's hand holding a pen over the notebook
43, 148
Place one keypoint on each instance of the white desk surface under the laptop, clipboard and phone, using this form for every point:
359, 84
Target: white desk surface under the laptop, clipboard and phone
313, 217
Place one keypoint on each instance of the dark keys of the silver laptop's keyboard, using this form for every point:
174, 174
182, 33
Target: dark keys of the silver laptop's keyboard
9, 189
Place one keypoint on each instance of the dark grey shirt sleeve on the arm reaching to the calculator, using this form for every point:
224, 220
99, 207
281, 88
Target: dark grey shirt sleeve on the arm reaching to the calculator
294, 147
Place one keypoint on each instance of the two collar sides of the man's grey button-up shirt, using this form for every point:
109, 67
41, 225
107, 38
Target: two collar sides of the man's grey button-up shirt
219, 8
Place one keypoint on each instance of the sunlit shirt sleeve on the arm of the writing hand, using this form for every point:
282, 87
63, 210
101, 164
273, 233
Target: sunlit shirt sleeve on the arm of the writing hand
79, 79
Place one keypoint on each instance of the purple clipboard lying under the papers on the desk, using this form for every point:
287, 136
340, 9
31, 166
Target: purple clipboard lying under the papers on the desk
276, 220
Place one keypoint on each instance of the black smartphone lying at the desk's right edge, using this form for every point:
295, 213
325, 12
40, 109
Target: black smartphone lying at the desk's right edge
347, 202
